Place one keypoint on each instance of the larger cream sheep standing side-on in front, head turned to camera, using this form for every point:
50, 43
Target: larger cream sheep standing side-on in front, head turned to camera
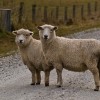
76, 55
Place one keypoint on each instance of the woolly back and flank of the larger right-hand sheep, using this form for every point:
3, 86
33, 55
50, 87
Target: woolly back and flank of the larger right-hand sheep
74, 53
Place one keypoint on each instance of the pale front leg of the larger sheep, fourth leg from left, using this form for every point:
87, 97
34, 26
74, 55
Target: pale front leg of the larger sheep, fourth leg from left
59, 75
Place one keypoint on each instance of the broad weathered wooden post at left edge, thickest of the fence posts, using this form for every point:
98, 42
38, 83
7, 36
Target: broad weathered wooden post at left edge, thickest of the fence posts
5, 19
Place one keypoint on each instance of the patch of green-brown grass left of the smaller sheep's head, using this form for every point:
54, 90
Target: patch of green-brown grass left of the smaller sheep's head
7, 44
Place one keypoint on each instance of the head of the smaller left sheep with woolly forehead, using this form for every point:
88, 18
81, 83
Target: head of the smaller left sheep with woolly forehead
22, 36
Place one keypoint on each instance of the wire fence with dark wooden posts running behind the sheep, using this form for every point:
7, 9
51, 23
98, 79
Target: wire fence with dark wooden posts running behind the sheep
54, 14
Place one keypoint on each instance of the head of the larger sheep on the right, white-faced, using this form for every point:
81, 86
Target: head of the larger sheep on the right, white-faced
47, 32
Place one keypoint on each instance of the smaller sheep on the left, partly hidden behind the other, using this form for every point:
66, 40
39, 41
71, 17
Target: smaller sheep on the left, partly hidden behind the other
32, 55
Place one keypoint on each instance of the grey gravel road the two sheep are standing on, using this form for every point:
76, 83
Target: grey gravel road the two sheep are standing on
15, 80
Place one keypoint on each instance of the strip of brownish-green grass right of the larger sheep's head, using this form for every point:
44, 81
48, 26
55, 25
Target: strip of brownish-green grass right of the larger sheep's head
78, 27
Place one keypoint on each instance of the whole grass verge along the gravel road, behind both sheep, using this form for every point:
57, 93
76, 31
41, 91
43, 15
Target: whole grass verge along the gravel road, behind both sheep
7, 40
